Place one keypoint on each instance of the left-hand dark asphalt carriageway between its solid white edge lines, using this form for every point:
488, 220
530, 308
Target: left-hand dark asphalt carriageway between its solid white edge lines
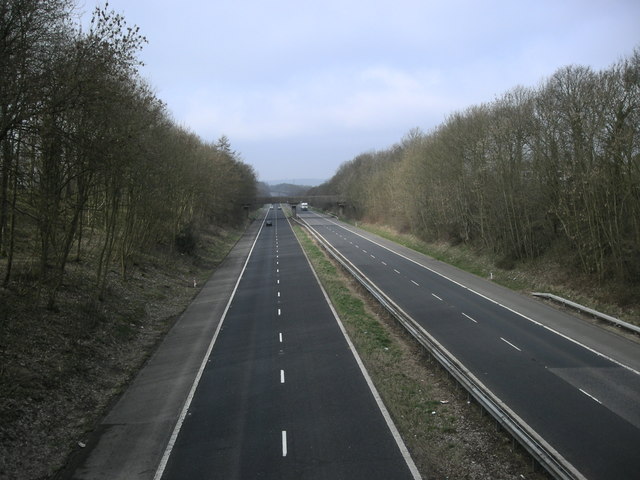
281, 394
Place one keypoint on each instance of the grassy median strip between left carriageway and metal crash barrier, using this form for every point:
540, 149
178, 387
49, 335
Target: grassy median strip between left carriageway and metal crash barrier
447, 436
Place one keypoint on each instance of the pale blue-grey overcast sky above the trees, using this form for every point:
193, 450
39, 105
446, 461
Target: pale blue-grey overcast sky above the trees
301, 87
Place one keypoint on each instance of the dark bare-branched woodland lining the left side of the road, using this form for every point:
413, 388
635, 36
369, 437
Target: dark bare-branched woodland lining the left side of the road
91, 163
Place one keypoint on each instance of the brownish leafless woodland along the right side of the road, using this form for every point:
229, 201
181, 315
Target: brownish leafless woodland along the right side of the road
553, 169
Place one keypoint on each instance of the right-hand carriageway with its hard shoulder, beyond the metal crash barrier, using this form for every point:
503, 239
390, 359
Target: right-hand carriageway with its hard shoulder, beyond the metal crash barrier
579, 391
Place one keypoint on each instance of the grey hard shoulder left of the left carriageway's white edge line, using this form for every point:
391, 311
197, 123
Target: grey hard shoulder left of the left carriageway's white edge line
137, 428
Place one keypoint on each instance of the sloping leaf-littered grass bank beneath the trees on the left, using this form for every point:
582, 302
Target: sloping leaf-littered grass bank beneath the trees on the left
59, 370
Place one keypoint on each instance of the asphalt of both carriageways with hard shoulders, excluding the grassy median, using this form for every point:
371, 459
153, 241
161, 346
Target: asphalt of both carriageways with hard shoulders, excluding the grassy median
273, 388
